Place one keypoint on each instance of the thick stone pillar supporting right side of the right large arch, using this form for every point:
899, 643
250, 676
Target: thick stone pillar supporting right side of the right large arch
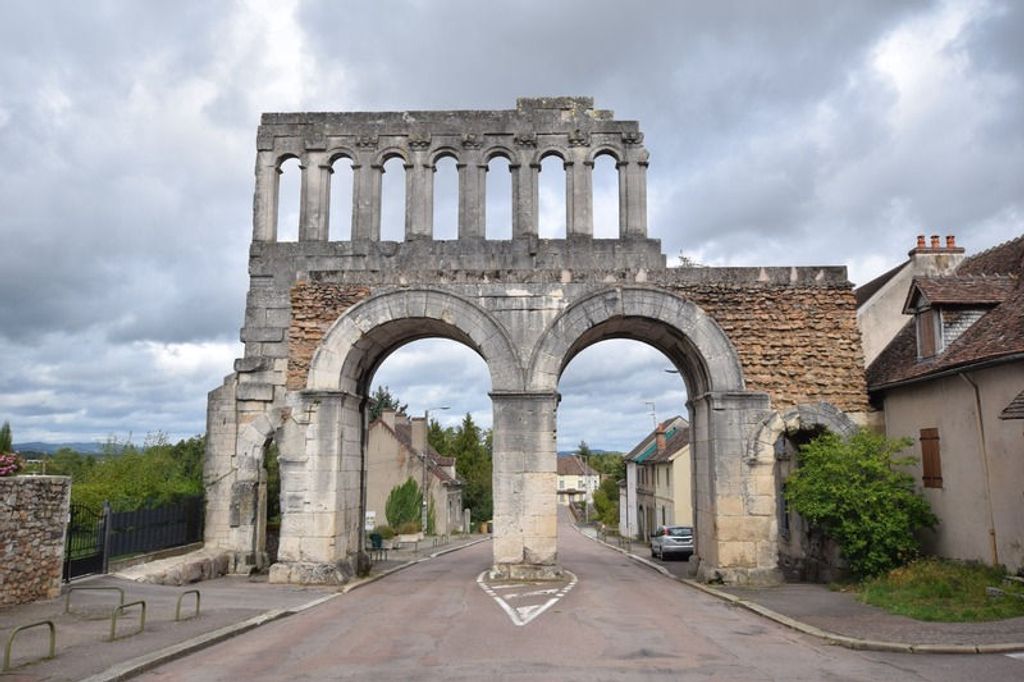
736, 541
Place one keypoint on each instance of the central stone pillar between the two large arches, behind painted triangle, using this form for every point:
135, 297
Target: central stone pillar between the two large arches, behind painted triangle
525, 486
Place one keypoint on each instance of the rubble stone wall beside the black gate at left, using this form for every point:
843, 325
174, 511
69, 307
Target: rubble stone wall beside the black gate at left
33, 523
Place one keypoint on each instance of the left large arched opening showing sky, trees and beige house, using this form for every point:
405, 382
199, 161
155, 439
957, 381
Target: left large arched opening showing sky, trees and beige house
433, 437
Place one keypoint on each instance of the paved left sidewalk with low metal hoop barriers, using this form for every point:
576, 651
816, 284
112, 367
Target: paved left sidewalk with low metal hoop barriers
229, 607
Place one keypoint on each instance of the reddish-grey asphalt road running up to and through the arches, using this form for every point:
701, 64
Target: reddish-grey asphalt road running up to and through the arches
620, 622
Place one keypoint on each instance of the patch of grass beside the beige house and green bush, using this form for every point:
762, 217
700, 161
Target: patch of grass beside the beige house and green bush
944, 591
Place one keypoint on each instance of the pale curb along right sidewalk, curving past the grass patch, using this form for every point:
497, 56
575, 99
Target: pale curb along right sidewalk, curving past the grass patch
831, 637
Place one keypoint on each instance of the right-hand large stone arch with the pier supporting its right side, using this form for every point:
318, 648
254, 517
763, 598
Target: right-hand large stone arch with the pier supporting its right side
735, 541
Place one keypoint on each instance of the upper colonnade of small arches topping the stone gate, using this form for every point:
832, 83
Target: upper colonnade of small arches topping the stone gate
566, 127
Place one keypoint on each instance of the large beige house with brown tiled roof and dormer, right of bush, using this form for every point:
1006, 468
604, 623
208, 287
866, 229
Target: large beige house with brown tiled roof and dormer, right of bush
953, 380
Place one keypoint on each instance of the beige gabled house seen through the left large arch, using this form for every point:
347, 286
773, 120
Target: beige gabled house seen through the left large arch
397, 451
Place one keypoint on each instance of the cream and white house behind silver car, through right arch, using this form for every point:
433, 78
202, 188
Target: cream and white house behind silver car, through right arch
658, 487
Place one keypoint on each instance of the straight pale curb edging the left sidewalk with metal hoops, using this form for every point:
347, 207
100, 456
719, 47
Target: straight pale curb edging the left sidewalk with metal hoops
140, 665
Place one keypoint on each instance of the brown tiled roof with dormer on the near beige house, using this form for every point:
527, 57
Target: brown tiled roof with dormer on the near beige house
998, 334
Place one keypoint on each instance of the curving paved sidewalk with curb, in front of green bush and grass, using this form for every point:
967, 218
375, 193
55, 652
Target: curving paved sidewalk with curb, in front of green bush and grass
839, 618
